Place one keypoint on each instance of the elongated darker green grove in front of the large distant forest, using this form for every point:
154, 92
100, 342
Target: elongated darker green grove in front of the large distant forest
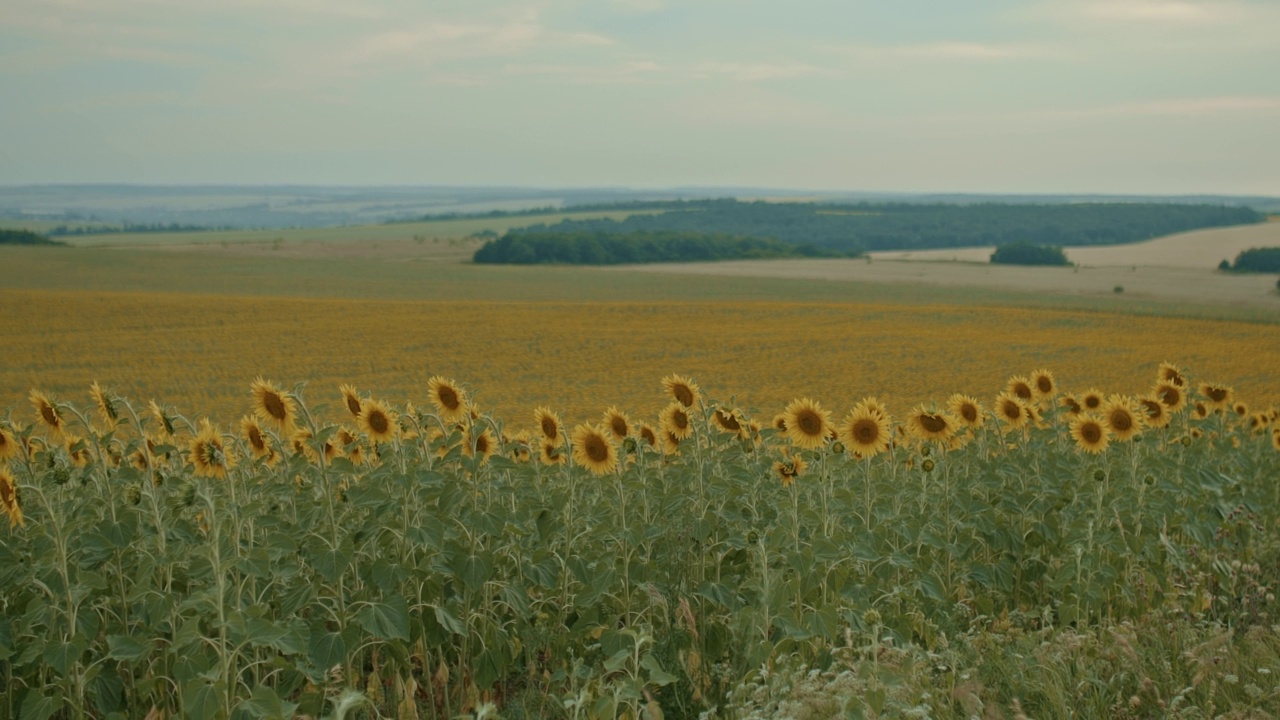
614, 249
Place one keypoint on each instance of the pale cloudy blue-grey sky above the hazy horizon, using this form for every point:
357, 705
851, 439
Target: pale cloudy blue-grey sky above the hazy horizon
1124, 97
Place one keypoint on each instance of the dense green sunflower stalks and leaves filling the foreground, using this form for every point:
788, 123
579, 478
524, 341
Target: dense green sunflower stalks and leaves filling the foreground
442, 582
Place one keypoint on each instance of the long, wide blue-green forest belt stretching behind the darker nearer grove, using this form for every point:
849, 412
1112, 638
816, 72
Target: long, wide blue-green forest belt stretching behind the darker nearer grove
902, 226
